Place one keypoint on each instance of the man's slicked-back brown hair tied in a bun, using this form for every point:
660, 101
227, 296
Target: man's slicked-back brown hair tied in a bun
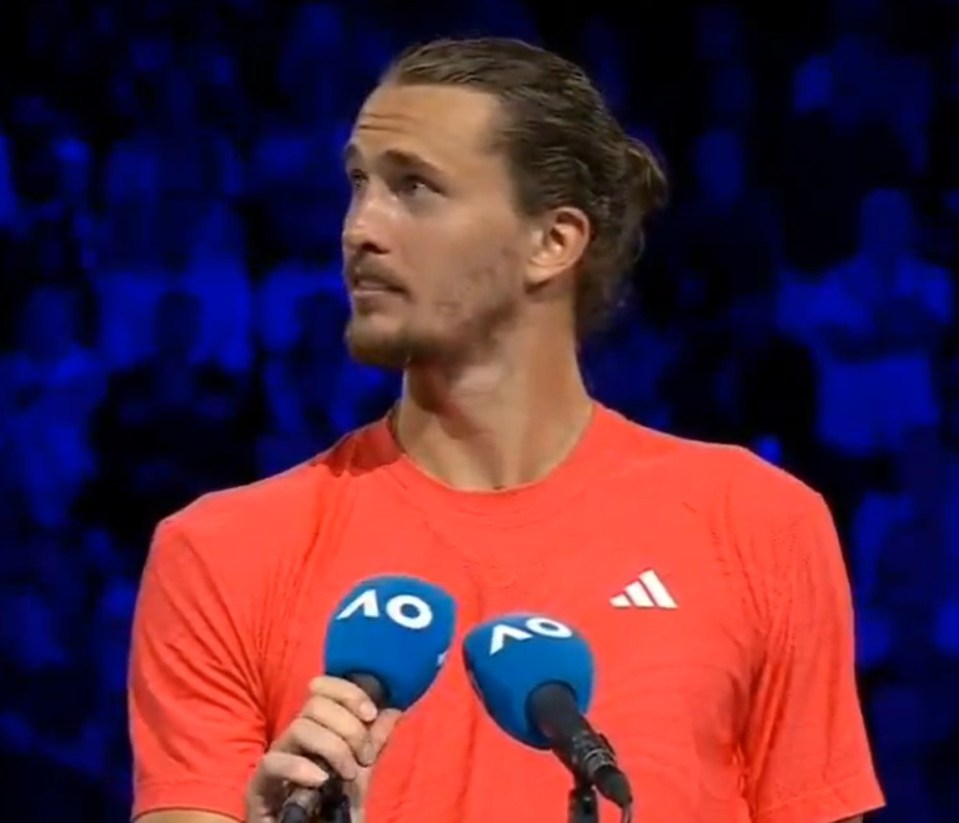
564, 148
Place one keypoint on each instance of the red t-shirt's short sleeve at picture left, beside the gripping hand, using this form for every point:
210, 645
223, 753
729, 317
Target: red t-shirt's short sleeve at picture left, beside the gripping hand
196, 723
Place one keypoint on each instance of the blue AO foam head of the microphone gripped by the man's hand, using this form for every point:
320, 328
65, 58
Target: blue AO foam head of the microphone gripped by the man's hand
395, 628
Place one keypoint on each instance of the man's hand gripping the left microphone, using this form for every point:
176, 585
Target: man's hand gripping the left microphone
340, 725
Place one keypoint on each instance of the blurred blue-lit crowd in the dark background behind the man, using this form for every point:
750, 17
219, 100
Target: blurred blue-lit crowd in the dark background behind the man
171, 192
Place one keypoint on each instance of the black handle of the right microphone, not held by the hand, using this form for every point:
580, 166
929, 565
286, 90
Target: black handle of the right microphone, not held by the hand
582, 750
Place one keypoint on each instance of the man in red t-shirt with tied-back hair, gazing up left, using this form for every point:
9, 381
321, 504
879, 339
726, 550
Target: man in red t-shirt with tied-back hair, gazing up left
495, 204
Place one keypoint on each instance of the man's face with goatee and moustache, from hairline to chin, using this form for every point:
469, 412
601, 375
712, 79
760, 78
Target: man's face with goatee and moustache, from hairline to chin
433, 247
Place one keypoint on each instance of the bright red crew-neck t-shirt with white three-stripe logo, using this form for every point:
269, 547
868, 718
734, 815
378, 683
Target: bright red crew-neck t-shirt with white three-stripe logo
709, 584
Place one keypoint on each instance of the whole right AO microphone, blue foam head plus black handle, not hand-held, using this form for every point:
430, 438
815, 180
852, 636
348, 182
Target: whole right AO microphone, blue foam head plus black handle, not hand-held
534, 675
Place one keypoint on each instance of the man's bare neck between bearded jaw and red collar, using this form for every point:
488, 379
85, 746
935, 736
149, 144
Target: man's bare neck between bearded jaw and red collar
493, 426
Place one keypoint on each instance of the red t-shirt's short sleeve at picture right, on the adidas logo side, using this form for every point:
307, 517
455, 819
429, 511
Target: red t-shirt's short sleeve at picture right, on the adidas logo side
805, 746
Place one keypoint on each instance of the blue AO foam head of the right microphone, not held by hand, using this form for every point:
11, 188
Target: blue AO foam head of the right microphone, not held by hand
509, 657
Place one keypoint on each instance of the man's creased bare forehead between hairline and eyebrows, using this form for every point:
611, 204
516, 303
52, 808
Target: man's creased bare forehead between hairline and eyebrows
436, 122
